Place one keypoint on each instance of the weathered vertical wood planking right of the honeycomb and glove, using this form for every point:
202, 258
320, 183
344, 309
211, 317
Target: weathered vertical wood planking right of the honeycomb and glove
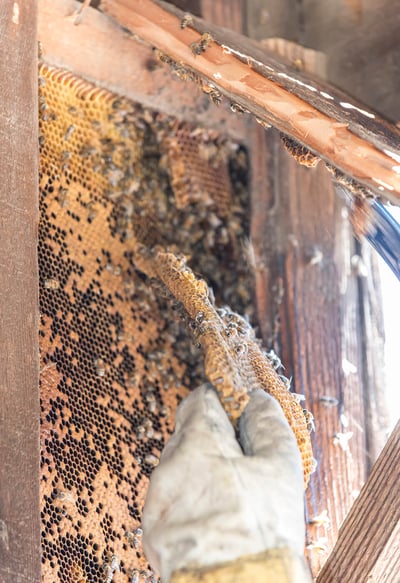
307, 287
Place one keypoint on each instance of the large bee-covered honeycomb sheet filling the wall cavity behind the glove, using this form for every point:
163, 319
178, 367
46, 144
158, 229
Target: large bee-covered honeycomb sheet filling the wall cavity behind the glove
115, 357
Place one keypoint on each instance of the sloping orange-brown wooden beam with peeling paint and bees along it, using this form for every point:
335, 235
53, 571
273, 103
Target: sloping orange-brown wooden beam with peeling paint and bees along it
345, 134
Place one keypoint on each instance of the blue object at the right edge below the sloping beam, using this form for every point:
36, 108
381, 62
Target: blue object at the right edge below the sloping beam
384, 235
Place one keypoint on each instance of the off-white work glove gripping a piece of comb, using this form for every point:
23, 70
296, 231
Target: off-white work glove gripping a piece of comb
212, 500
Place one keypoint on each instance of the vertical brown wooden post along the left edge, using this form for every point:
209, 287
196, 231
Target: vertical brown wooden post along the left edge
19, 358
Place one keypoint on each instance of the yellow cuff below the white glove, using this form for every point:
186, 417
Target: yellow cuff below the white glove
273, 566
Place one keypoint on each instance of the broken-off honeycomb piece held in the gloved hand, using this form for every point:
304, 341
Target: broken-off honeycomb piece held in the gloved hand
234, 361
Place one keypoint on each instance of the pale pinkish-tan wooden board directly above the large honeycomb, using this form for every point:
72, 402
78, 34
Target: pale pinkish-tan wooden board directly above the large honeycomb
91, 49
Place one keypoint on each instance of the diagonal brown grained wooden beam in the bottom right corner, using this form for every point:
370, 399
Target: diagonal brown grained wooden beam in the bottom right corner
367, 548
